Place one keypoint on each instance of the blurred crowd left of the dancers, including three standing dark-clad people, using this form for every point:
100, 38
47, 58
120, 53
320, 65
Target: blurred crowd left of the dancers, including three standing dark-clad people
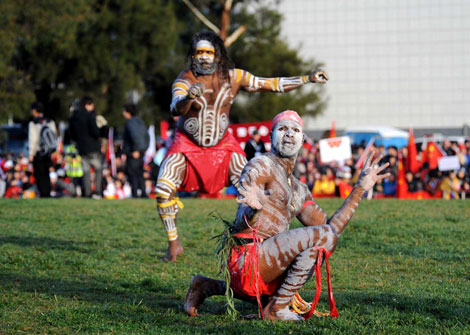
91, 165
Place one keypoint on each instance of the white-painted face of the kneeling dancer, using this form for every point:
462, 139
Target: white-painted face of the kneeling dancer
287, 138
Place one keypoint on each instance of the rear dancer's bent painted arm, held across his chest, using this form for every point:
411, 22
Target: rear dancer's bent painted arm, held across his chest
184, 94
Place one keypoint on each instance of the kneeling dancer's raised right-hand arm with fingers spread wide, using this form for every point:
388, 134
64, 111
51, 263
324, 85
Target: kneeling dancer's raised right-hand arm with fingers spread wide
312, 214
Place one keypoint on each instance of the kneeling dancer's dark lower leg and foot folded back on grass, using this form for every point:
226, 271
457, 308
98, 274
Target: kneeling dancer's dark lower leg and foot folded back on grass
200, 289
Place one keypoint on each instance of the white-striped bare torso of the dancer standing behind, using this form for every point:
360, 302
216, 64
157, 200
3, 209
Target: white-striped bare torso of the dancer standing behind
207, 120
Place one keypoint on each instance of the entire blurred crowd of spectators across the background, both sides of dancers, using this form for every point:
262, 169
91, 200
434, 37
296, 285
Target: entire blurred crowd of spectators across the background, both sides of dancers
92, 165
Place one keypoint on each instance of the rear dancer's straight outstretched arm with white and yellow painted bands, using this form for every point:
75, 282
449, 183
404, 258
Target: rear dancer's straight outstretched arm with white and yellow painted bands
252, 83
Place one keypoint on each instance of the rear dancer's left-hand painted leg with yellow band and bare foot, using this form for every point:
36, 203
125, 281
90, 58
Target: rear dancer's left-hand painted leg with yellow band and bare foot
170, 178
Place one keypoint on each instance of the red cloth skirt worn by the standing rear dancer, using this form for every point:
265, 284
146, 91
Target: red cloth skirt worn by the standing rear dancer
206, 167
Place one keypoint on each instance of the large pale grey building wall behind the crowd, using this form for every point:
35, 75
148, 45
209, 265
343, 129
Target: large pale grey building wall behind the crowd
394, 63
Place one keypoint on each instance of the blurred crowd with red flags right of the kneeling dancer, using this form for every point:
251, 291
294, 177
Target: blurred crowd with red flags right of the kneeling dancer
427, 181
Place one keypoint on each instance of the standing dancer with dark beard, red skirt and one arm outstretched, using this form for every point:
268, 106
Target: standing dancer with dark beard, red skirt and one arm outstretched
204, 156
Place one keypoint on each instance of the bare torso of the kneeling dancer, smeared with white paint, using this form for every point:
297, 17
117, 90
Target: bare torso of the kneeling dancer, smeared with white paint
288, 195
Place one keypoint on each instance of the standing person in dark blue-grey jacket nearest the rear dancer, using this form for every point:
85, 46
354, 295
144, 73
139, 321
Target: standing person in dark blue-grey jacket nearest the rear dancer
135, 143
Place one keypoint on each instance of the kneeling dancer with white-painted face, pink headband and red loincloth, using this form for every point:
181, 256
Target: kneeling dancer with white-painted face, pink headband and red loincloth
268, 262
